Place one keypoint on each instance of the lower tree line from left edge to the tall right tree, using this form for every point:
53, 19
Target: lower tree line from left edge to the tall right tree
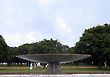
8, 54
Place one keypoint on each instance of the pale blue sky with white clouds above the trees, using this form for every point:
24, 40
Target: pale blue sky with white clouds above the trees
27, 21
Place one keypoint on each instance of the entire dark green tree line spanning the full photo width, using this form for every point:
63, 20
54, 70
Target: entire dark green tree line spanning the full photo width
94, 41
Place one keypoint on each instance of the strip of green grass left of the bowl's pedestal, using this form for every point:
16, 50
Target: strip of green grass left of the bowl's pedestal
21, 70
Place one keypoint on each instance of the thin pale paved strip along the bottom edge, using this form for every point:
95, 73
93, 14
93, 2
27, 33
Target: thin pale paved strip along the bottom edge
65, 75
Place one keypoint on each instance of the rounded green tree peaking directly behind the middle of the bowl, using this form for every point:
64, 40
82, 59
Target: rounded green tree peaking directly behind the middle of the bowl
47, 46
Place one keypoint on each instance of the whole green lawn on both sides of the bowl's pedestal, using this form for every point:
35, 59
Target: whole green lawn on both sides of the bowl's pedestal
65, 69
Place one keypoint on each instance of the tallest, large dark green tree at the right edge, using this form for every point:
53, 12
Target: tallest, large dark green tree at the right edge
95, 41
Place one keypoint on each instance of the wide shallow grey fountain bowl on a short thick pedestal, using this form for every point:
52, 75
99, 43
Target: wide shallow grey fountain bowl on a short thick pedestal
53, 60
